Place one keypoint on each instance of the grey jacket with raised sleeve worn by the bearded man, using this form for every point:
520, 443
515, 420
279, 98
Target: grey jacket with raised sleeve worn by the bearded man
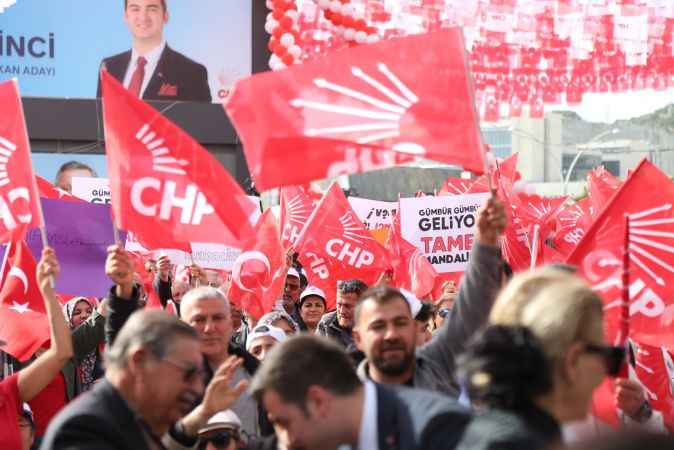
435, 365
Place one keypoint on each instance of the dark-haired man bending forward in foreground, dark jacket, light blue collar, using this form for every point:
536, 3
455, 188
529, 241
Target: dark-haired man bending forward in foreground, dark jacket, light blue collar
316, 401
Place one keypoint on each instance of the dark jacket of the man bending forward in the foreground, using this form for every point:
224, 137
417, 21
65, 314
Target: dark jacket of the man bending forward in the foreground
410, 419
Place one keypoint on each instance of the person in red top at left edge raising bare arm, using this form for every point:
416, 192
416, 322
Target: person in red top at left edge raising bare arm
30, 381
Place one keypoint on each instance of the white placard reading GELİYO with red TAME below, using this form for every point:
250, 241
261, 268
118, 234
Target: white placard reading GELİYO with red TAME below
442, 228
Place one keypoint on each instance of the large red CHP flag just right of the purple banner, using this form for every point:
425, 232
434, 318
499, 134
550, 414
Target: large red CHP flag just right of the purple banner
165, 187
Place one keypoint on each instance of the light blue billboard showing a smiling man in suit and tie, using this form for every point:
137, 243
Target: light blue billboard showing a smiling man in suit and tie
192, 51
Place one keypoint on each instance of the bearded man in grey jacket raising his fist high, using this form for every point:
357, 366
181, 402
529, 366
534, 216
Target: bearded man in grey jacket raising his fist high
386, 332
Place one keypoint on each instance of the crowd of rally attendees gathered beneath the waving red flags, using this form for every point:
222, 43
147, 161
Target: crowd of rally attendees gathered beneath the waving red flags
499, 362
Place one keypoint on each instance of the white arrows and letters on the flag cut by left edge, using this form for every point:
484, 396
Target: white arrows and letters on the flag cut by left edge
12, 212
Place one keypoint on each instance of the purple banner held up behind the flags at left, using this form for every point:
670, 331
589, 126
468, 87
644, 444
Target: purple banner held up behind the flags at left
79, 232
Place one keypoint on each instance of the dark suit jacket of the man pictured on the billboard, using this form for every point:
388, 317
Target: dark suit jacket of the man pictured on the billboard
176, 78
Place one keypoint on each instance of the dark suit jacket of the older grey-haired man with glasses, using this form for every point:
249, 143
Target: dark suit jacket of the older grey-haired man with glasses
99, 419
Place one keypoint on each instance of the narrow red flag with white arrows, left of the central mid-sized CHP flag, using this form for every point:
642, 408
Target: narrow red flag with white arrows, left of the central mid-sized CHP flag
296, 207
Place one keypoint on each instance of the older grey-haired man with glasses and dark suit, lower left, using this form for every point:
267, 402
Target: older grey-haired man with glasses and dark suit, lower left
152, 379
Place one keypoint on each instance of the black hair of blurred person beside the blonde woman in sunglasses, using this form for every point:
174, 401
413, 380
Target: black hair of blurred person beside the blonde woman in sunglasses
505, 367
